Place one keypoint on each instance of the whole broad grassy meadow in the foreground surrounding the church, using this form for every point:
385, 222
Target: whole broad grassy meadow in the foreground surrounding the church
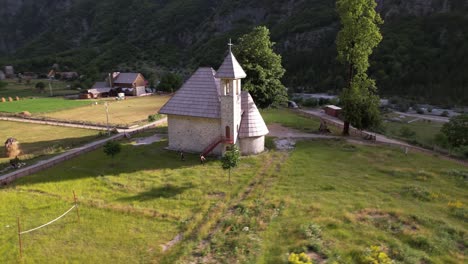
330, 199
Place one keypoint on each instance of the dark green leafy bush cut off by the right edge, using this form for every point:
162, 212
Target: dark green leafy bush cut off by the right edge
456, 130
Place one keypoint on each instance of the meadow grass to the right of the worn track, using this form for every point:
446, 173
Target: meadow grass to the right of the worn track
356, 199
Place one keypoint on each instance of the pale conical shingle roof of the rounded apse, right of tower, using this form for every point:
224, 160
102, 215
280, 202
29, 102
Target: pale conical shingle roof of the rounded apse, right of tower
252, 124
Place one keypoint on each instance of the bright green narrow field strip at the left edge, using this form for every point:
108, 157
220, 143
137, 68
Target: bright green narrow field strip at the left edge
41, 105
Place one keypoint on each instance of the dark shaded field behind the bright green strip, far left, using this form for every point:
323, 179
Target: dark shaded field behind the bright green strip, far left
23, 89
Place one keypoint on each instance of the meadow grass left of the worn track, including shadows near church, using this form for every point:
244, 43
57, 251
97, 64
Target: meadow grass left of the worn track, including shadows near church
129, 209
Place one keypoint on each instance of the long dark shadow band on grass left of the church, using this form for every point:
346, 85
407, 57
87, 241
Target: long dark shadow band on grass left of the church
132, 159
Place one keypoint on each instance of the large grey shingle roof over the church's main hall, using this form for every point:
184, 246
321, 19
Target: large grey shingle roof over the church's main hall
198, 97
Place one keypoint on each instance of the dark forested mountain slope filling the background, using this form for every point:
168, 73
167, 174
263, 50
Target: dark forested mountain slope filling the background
424, 52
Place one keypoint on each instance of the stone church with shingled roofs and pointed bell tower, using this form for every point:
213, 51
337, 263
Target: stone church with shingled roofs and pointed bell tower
210, 112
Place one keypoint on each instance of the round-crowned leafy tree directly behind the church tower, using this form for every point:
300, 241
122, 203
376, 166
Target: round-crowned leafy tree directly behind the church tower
262, 66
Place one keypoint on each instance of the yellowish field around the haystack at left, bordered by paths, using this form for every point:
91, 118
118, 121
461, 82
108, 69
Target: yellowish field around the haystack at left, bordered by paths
42, 140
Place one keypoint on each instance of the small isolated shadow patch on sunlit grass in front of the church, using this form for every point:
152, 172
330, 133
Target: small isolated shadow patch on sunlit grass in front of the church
167, 191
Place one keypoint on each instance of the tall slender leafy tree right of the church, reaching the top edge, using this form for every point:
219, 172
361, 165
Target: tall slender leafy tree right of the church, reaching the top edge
357, 38
